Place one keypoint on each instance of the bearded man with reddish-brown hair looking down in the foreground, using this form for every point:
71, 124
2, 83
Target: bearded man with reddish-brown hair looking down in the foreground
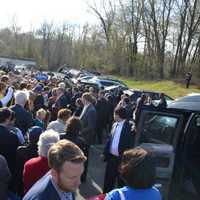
66, 161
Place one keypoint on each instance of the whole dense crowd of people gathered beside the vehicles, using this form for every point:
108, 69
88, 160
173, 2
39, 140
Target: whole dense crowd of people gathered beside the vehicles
47, 128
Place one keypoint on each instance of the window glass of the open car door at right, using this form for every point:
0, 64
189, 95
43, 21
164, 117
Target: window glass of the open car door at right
158, 129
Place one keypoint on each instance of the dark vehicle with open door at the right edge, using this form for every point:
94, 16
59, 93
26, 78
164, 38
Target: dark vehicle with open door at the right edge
173, 134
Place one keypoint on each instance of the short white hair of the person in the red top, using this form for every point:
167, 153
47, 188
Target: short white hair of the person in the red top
46, 140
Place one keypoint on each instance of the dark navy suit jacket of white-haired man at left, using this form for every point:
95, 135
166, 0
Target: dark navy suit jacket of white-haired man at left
24, 119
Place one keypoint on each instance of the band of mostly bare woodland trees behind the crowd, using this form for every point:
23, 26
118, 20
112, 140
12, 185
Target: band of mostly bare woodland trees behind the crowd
143, 39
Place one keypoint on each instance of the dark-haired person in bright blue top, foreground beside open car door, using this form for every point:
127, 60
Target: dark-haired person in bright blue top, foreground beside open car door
138, 172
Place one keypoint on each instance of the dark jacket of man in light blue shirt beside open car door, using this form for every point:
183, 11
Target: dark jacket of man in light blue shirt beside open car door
126, 140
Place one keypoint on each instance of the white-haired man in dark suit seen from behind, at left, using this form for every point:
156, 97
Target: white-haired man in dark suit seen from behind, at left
24, 119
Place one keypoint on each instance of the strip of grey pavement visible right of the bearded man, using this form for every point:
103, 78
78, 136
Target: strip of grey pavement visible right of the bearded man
95, 176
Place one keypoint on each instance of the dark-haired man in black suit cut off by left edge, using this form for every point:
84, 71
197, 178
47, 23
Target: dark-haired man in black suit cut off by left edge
8, 142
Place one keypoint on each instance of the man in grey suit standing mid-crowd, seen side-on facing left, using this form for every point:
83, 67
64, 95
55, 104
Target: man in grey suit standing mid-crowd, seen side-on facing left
88, 118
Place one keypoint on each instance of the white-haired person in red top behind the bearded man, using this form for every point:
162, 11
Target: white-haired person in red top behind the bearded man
37, 167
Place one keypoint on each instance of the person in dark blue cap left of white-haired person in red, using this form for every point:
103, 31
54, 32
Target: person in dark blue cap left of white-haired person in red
26, 152
